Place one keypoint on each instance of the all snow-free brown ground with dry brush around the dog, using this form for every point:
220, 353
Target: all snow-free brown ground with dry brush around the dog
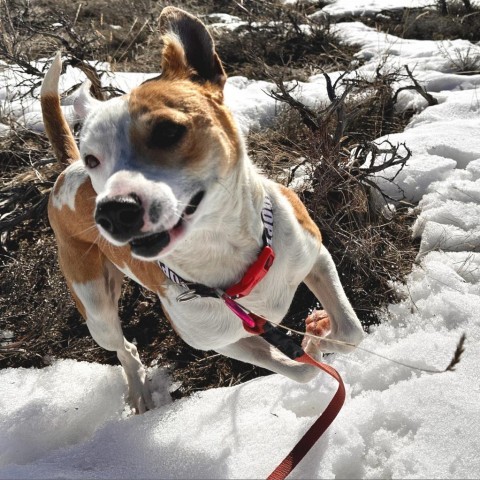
38, 319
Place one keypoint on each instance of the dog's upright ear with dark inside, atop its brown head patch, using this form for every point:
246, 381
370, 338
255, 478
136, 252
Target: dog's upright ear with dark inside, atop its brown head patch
189, 50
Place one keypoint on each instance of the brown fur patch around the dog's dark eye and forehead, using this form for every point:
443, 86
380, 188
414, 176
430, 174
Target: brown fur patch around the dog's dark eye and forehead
210, 130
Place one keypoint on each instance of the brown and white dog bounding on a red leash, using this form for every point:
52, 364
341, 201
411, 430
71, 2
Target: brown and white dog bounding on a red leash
162, 174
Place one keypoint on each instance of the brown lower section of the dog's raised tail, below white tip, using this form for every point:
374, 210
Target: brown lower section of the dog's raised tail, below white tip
58, 131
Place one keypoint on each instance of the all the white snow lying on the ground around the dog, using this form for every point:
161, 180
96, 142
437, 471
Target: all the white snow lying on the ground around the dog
69, 420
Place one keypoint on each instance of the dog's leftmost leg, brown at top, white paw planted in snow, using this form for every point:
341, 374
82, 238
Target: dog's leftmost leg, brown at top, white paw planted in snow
96, 286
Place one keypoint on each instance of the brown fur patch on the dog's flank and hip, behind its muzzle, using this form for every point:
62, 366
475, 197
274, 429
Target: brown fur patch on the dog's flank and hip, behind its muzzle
83, 253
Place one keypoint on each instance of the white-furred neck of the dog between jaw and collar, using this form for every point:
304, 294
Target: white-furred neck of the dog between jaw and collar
230, 234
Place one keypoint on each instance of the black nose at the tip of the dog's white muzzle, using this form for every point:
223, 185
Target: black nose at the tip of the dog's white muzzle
120, 216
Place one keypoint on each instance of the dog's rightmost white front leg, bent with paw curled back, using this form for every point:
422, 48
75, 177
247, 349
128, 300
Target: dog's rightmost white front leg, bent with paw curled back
324, 282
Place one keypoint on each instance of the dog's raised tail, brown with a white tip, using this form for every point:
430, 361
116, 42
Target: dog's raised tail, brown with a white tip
56, 126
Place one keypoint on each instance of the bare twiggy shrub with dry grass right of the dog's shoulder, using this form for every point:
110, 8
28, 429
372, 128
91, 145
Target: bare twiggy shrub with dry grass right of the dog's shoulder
335, 148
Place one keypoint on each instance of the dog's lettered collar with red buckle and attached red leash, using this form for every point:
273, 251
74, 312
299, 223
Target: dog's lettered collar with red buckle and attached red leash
258, 325
